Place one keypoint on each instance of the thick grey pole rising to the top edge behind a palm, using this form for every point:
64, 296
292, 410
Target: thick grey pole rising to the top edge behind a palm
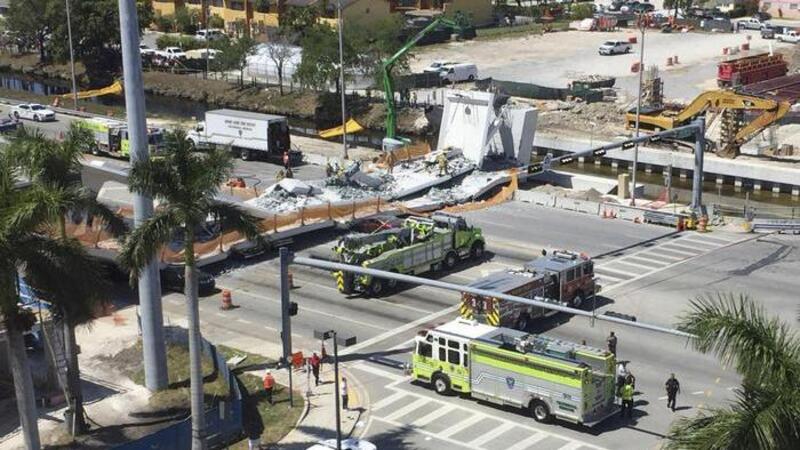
155, 359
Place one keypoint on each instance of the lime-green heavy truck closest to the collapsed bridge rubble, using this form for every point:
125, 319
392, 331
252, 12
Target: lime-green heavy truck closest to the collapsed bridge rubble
420, 245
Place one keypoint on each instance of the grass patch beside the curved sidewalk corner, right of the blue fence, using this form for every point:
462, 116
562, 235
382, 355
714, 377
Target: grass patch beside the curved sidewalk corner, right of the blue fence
273, 422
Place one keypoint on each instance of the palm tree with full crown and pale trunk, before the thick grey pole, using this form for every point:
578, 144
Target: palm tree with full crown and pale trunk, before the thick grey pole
186, 185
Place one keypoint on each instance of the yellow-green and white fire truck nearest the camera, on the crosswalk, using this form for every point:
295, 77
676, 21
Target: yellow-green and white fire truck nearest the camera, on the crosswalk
548, 377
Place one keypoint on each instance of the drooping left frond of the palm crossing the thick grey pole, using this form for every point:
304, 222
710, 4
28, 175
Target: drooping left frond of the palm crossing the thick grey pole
142, 244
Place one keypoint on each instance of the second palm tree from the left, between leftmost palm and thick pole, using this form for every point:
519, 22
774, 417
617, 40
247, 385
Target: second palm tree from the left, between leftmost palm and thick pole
56, 169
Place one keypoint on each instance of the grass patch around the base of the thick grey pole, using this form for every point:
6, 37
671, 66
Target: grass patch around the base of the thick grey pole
176, 396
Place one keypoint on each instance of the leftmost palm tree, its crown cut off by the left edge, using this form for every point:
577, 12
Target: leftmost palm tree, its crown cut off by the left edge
49, 267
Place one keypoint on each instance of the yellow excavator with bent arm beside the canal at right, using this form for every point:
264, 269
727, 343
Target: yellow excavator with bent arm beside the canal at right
727, 103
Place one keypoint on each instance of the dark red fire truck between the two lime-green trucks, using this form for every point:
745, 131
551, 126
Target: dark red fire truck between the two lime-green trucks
562, 277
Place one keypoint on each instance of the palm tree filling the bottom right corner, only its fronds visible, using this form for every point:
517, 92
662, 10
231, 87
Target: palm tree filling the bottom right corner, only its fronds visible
766, 353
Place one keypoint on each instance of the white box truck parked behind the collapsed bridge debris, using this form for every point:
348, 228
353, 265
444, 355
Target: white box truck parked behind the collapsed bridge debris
249, 135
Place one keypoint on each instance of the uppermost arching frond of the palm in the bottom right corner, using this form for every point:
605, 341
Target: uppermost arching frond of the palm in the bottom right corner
738, 332
